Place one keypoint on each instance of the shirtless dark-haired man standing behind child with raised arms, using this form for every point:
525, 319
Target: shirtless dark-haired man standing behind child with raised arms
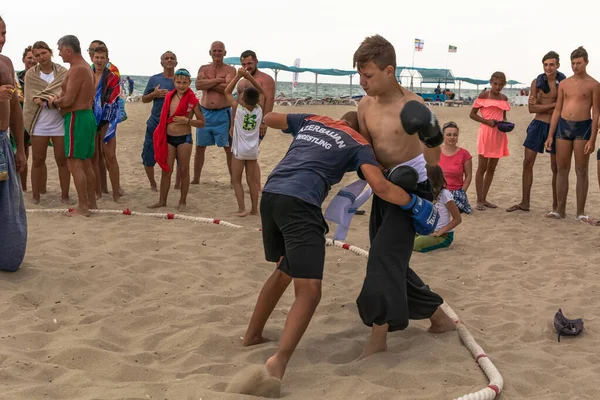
250, 63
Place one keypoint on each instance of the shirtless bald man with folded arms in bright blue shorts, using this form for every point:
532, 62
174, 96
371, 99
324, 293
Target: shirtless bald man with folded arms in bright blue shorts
212, 80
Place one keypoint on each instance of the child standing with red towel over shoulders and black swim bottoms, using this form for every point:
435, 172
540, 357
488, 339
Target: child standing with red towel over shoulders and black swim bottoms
173, 138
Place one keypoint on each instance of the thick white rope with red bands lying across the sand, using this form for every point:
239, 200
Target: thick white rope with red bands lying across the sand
488, 393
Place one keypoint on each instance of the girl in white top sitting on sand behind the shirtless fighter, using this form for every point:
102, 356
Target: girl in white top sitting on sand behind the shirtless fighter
448, 211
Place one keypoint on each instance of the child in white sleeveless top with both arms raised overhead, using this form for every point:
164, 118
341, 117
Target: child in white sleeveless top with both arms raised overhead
247, 116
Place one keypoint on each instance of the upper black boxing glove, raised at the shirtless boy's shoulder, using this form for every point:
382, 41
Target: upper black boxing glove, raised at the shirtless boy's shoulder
417, 118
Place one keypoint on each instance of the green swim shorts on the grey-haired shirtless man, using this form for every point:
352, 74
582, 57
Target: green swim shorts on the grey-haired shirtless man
80, 134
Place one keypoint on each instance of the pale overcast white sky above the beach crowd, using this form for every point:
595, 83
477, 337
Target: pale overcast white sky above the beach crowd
509, 36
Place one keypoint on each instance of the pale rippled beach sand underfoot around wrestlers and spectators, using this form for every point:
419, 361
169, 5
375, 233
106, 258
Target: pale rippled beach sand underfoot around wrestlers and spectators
130, 307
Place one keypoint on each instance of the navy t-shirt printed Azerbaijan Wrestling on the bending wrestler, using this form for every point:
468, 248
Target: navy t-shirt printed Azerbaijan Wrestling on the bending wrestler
322, 151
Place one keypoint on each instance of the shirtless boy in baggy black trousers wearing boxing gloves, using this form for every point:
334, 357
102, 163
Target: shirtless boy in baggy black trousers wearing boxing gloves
390, 286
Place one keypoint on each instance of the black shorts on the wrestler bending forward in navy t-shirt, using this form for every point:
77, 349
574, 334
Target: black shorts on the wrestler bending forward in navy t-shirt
295, 230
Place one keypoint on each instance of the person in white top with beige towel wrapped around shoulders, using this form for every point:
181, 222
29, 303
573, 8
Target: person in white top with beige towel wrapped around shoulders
45, 122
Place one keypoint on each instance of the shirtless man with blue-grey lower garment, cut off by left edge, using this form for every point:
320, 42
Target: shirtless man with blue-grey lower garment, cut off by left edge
13, 228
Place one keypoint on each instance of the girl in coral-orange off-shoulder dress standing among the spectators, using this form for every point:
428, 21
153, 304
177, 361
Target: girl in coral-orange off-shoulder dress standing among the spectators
492, 144
